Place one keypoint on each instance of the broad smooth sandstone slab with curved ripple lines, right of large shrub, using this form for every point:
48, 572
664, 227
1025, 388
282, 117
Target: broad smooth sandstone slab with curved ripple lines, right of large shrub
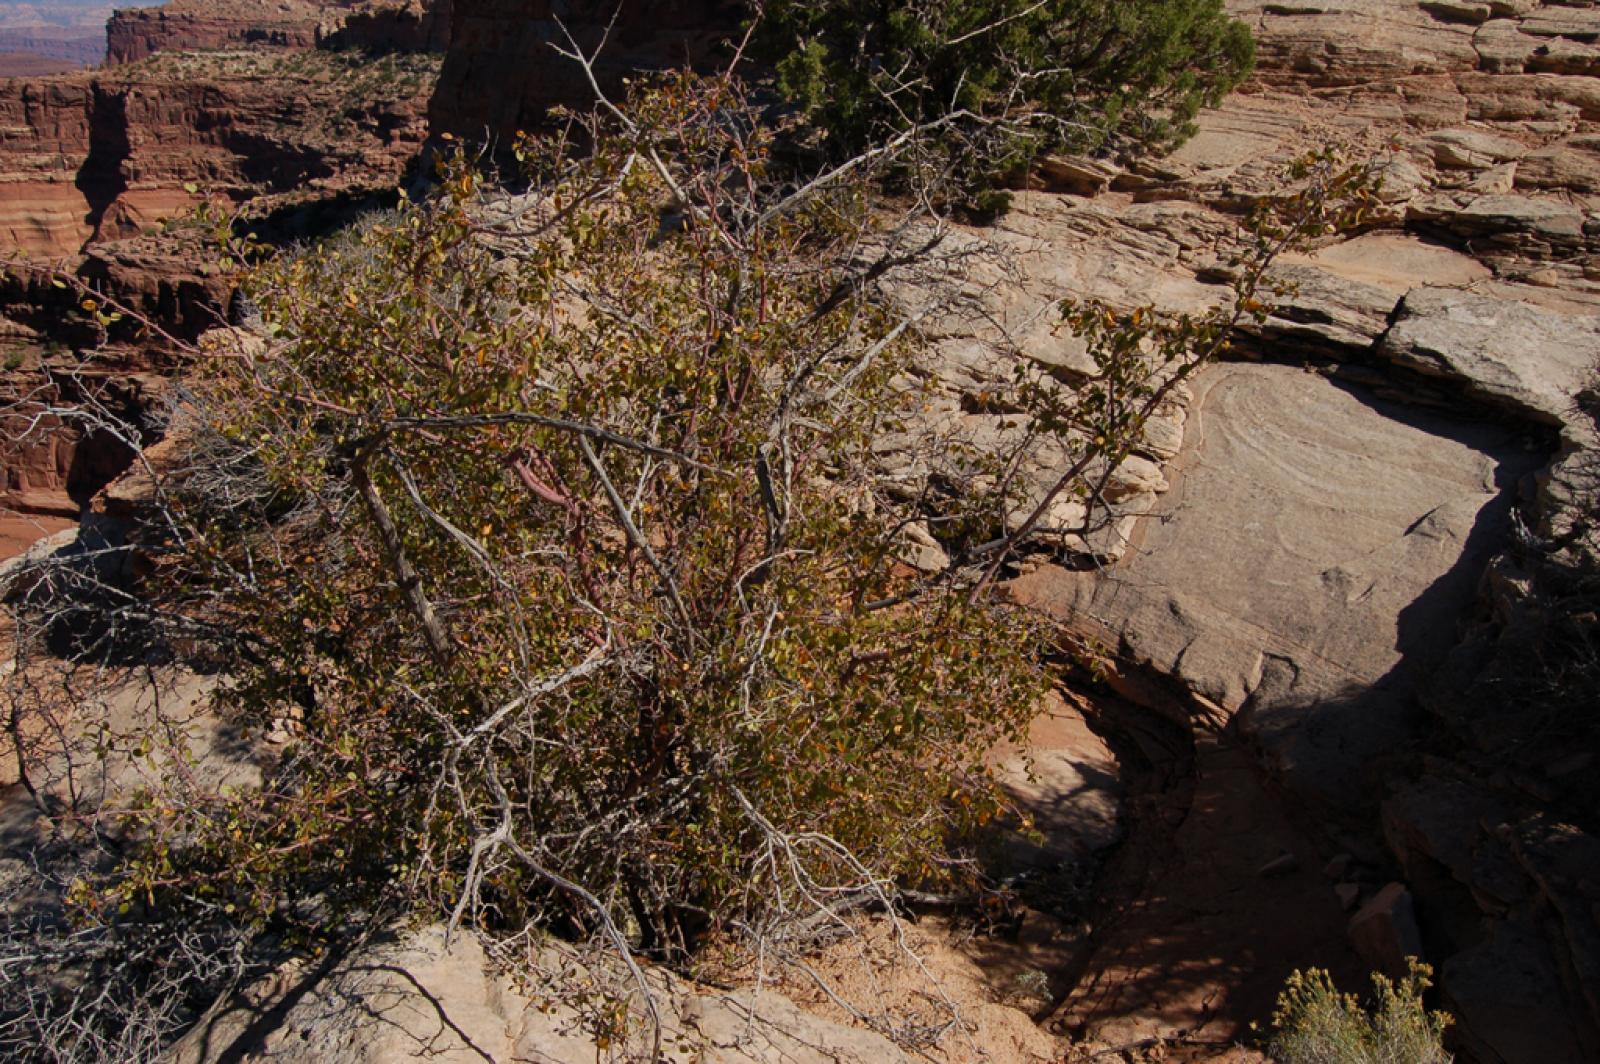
1276, 479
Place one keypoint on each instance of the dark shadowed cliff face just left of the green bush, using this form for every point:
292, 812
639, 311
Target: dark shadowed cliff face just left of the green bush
503, 73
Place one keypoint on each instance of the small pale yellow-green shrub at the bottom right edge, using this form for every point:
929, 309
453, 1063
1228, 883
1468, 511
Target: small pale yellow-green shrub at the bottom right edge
1318, 1025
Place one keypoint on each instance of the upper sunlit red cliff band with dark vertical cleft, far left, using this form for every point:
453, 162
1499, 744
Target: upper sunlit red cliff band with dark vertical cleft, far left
103, 158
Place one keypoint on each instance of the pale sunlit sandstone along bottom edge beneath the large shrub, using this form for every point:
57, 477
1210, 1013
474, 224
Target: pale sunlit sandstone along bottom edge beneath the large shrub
415, 999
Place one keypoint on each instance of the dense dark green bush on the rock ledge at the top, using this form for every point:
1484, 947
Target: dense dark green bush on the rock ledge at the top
1081, 74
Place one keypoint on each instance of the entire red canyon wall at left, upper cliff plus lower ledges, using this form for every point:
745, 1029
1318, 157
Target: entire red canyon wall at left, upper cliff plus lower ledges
98, 169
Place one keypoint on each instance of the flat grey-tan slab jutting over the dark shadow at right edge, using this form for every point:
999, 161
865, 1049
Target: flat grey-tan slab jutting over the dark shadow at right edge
1498, 351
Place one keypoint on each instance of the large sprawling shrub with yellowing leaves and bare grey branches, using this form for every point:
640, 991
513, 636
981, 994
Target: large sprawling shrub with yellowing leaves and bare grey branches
553, 548
